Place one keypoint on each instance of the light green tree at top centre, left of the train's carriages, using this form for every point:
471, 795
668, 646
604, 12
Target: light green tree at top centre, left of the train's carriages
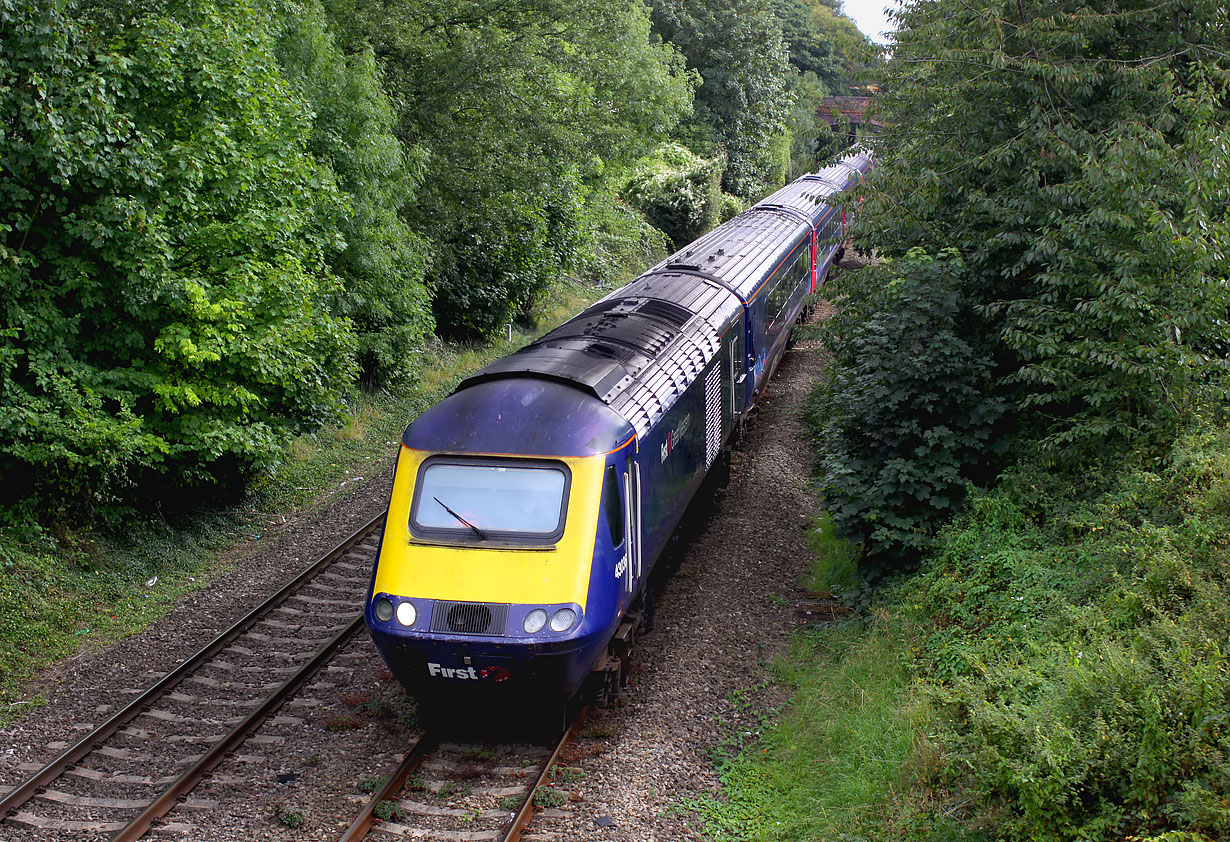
525, 109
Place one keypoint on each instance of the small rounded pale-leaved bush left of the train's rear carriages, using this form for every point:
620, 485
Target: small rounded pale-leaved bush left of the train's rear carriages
680, 194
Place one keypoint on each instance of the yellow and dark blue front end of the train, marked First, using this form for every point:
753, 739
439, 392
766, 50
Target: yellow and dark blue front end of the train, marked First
496, 575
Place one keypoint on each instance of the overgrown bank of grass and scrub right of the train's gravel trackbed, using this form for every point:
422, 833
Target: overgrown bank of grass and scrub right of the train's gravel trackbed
1057, 671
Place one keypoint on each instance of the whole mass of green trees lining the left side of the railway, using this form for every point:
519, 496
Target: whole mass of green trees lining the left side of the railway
220, 219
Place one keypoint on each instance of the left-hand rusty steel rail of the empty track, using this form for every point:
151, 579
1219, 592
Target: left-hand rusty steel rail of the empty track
13, 801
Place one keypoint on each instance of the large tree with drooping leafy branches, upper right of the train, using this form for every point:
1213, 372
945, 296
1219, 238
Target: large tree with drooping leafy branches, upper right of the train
1076, 155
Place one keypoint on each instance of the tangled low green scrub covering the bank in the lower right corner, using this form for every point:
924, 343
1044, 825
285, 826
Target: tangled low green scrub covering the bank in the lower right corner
1077, 655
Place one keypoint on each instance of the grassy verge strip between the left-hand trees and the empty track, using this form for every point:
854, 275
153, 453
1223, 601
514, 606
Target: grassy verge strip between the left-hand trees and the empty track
66, 594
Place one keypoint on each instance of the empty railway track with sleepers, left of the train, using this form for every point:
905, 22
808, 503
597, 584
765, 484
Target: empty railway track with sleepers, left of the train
147, 759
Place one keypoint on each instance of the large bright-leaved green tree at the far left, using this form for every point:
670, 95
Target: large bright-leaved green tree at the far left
164, 278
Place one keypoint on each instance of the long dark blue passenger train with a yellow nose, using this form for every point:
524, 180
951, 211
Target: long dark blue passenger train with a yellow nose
531, 507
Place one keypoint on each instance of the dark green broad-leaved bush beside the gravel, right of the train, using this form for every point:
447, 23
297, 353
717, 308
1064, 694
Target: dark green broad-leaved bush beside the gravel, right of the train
906, 419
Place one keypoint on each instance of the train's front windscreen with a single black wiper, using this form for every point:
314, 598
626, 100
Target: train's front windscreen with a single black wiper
490, 501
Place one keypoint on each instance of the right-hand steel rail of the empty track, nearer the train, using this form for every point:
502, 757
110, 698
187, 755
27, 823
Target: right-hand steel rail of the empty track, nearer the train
192, 776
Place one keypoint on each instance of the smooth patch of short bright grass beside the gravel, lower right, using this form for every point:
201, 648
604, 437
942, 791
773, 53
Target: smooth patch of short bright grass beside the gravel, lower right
823, 770
